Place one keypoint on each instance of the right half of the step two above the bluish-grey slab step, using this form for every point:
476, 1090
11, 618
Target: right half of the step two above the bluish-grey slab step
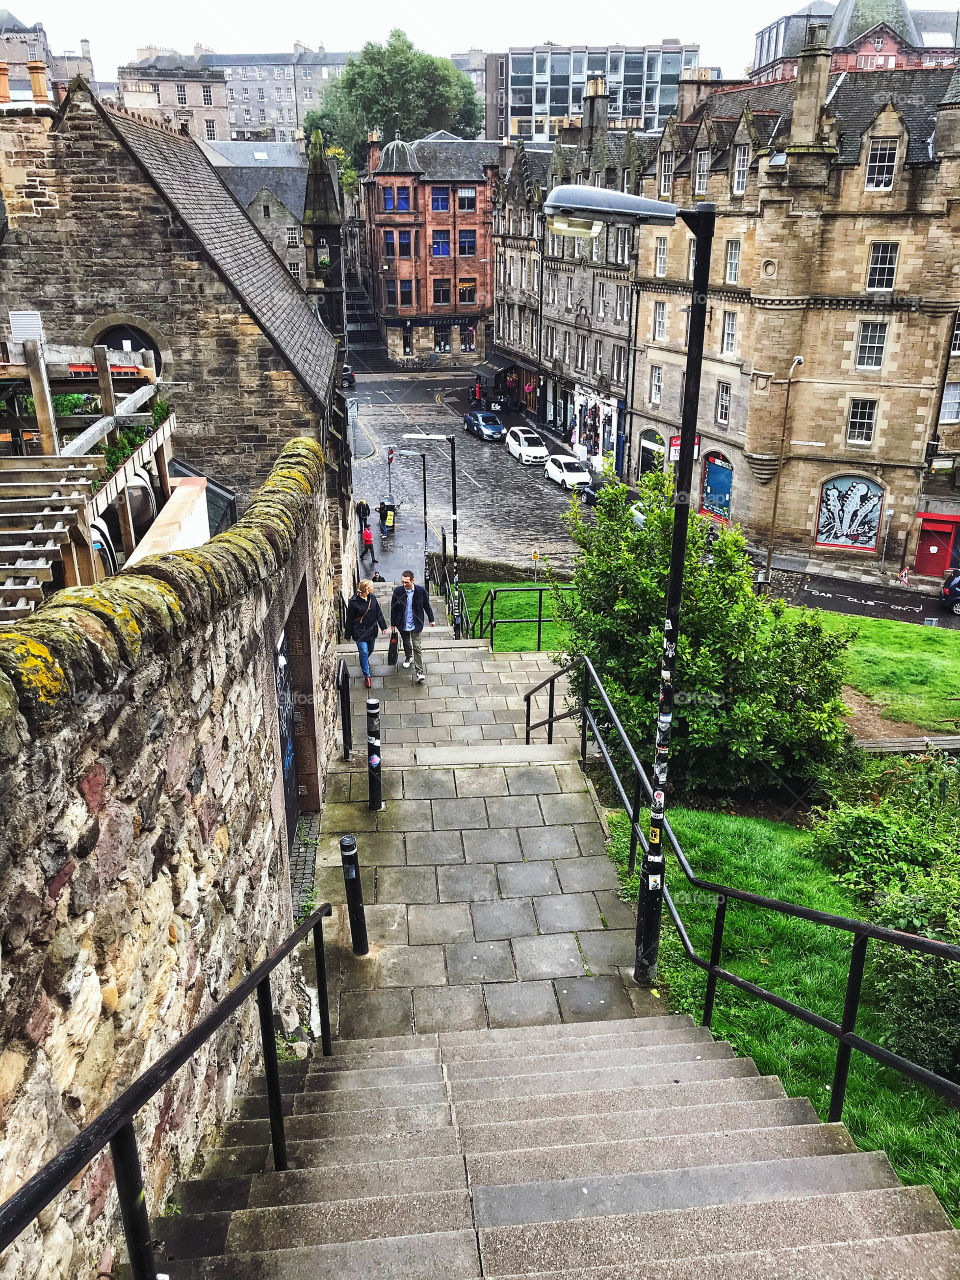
653, 1123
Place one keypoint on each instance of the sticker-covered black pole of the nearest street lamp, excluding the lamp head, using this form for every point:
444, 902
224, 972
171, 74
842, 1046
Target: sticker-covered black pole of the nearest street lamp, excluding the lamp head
650, 911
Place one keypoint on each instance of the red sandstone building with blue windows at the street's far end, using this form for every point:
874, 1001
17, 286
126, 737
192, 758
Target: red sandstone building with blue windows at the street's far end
428, 211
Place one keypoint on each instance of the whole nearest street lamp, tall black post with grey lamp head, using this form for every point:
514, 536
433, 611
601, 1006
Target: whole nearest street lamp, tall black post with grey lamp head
574, 211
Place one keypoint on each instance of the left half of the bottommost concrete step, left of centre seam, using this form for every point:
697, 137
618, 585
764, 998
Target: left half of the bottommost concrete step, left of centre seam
438, 1256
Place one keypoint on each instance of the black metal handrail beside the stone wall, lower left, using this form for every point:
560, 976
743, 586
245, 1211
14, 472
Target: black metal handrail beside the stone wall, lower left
116, 1124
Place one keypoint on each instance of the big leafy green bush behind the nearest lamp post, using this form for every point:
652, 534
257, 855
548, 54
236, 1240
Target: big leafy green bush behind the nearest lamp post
758, 691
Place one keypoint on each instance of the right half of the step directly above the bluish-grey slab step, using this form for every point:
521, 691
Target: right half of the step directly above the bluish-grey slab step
664, 1153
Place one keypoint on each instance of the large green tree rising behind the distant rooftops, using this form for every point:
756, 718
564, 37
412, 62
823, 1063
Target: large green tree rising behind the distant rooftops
396, 88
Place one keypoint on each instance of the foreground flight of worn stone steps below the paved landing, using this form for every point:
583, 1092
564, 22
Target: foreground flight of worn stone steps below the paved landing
636, 1150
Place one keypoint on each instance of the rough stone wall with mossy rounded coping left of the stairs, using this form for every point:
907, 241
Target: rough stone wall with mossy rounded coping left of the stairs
144, 857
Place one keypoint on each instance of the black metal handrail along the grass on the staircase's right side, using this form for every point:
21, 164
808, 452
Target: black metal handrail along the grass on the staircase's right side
863, 931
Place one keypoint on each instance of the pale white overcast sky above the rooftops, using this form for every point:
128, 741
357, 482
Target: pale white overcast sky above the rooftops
725, 33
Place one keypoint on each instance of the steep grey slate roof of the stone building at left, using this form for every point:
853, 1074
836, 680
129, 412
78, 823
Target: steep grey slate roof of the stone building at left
245, 260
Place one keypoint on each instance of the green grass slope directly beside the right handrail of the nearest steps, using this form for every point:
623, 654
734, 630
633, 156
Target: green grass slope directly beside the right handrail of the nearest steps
801, 962
